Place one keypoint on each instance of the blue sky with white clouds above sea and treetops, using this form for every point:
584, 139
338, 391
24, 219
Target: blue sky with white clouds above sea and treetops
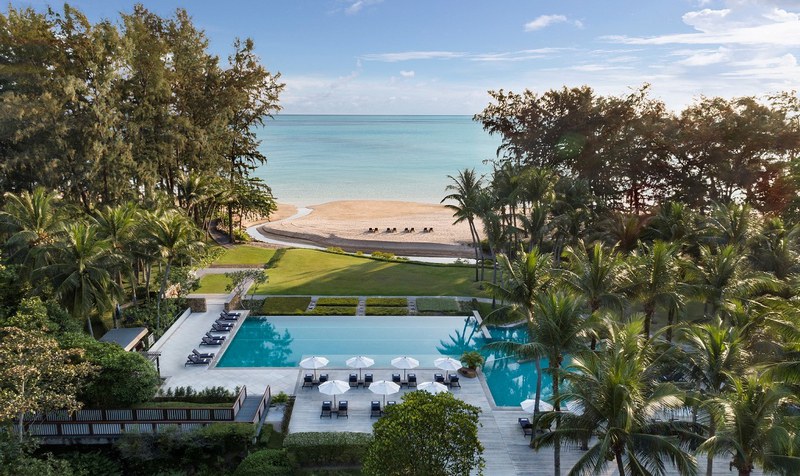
442, 56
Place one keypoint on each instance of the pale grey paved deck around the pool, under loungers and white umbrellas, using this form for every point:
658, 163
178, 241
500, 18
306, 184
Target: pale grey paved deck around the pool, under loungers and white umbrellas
505, 448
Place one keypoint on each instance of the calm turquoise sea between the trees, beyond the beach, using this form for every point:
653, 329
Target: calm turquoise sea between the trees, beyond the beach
317, 159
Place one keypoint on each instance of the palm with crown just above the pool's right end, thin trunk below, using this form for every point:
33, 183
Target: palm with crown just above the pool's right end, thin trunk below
523, 278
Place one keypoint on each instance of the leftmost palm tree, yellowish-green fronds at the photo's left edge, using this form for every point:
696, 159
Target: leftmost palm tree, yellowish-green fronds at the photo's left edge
32, 223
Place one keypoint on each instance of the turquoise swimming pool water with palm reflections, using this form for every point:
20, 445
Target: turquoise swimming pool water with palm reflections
282, 341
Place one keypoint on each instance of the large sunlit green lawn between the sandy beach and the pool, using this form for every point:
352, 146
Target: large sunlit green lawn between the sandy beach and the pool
309, 272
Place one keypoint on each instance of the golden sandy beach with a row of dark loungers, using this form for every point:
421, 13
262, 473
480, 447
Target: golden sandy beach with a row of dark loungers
346, 224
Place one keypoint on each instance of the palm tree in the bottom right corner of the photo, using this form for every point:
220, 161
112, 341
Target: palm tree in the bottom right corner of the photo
753, 429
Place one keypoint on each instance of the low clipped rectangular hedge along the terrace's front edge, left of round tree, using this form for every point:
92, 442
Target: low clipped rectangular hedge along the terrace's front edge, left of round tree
325, 449
